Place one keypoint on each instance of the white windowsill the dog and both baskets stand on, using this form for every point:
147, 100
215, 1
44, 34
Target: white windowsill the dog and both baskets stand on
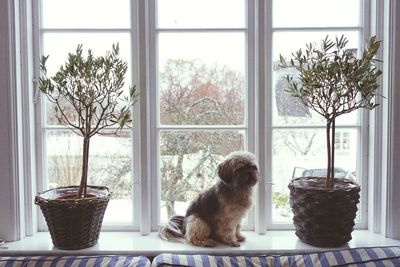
133, 243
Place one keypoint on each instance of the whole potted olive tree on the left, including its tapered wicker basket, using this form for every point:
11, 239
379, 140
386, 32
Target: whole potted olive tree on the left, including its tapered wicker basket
87, 93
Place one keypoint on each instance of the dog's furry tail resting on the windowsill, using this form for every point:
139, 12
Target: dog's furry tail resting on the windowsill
173, 230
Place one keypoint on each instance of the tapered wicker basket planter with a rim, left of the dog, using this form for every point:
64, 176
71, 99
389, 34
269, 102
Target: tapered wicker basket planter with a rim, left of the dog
73, 223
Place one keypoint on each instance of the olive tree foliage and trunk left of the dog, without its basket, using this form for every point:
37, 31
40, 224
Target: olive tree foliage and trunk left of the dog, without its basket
88, 97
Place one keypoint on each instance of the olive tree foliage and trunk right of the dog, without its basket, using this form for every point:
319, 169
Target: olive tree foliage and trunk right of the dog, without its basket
332, 82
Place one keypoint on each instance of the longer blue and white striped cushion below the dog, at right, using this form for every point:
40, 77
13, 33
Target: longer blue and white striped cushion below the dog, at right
365, 257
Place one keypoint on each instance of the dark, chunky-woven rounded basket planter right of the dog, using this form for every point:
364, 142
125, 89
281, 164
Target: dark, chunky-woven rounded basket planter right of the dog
323, 217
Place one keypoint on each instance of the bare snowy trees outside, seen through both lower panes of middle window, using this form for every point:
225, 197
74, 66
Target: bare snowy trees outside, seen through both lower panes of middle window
192, 93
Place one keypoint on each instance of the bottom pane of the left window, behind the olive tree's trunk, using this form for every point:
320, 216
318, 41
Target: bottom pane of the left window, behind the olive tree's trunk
110, 164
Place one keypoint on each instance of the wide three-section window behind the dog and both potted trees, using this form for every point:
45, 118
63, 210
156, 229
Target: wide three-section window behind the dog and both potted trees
202, 100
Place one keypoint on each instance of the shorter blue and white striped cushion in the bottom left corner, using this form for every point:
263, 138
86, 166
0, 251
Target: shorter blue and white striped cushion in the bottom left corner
75, 261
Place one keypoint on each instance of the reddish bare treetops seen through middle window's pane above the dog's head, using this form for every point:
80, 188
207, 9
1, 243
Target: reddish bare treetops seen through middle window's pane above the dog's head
193, 93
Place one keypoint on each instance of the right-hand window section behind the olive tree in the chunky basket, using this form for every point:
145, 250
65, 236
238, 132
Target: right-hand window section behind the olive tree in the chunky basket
298, 133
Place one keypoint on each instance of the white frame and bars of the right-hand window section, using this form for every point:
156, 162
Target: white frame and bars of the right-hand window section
361, 126
